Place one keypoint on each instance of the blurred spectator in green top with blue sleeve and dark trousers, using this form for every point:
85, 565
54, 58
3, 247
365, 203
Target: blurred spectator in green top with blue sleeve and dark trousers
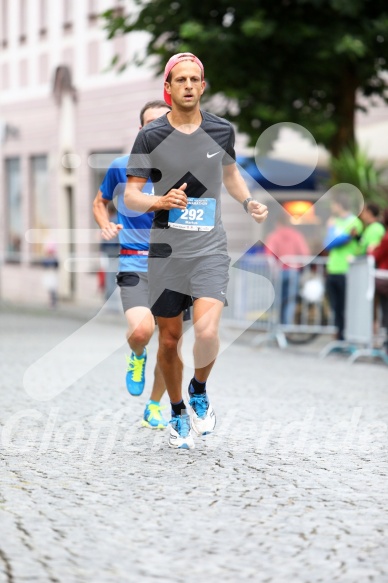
341, 244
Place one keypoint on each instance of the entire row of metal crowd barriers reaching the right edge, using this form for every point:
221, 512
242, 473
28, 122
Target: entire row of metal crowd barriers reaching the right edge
289, 304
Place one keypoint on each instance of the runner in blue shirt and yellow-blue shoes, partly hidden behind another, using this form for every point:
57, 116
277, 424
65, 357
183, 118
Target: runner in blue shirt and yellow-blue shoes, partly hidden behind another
133, 230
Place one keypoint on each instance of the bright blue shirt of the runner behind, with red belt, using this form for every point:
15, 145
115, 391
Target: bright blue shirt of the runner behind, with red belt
135, 233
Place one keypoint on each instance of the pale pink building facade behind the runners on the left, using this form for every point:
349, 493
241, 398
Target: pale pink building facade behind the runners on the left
63, 117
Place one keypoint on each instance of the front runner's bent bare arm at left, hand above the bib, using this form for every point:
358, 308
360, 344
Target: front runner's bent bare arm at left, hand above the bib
136, 200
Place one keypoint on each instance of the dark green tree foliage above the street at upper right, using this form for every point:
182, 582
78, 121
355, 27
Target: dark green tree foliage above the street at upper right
301, 61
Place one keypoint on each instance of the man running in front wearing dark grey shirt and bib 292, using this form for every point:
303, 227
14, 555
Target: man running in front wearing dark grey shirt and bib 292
188, 153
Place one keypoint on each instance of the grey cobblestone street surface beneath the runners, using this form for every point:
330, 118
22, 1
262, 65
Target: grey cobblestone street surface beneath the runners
291, 487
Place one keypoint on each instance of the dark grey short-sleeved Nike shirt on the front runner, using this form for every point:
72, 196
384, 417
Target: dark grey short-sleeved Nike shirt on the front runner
170, 158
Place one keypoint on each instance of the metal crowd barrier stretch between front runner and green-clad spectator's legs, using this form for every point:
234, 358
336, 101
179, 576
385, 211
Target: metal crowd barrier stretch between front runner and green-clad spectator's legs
285, 301
